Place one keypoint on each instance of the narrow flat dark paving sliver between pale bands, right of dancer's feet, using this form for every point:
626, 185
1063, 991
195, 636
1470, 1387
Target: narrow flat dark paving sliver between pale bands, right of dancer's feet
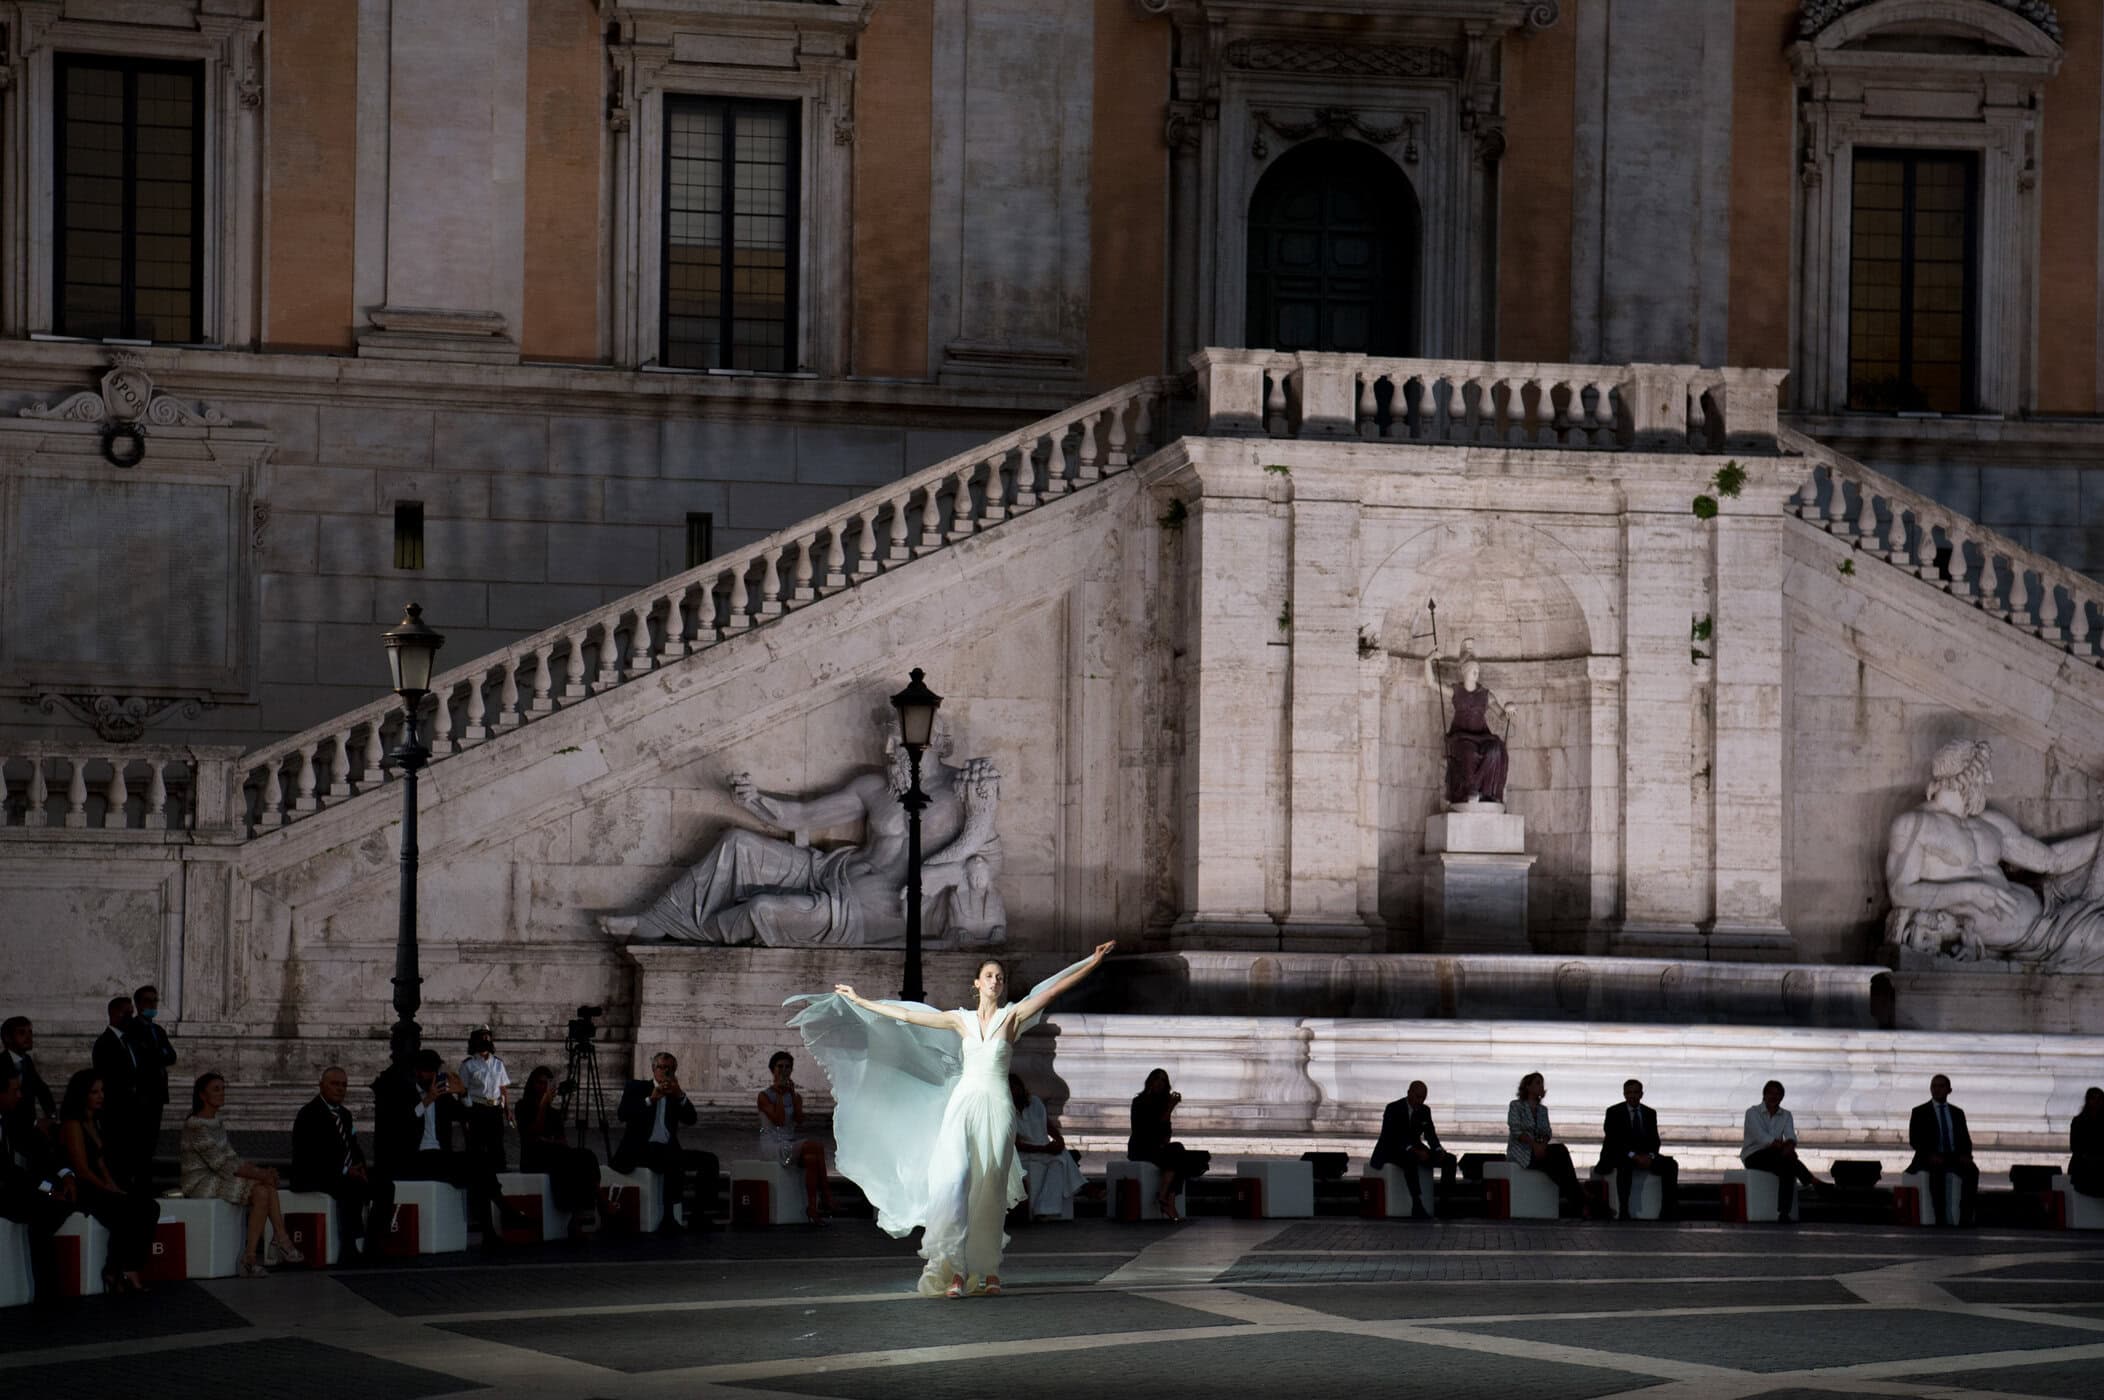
1390, 1302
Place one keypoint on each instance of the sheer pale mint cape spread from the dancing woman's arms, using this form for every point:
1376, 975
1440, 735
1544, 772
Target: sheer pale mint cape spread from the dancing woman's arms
891, 1085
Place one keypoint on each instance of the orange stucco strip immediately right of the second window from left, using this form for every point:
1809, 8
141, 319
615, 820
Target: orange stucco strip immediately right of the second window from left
893, 138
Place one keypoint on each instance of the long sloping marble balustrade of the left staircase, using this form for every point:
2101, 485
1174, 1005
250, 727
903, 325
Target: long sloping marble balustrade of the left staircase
676, 618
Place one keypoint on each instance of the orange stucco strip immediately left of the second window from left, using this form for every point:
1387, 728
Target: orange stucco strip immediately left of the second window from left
565, 113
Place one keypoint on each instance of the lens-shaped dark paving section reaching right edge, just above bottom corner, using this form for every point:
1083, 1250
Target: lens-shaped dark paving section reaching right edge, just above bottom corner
1844, 1338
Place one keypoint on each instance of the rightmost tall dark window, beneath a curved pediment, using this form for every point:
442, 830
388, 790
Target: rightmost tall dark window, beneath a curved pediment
1914, 273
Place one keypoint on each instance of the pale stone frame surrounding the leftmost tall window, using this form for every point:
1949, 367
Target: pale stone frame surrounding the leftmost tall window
232, 56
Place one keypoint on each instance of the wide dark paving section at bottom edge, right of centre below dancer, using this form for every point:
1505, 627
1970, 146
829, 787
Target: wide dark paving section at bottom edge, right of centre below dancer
1207, 1369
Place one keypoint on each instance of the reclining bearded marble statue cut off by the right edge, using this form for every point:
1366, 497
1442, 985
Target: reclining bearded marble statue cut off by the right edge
1951, 898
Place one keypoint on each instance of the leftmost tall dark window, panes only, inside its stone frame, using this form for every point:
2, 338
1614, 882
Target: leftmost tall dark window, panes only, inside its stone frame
129, 241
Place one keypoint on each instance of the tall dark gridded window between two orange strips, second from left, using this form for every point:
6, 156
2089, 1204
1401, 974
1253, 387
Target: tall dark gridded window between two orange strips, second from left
731, 233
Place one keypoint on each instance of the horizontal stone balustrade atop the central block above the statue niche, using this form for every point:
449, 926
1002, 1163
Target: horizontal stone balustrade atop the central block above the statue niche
1468, 403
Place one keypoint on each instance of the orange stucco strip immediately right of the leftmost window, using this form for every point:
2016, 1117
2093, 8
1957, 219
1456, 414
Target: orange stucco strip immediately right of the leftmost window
312, 174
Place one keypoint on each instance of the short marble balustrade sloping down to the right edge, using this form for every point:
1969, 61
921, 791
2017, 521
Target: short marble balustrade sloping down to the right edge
1947, 551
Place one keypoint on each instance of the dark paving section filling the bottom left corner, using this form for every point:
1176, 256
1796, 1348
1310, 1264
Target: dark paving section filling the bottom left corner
237, 1372
